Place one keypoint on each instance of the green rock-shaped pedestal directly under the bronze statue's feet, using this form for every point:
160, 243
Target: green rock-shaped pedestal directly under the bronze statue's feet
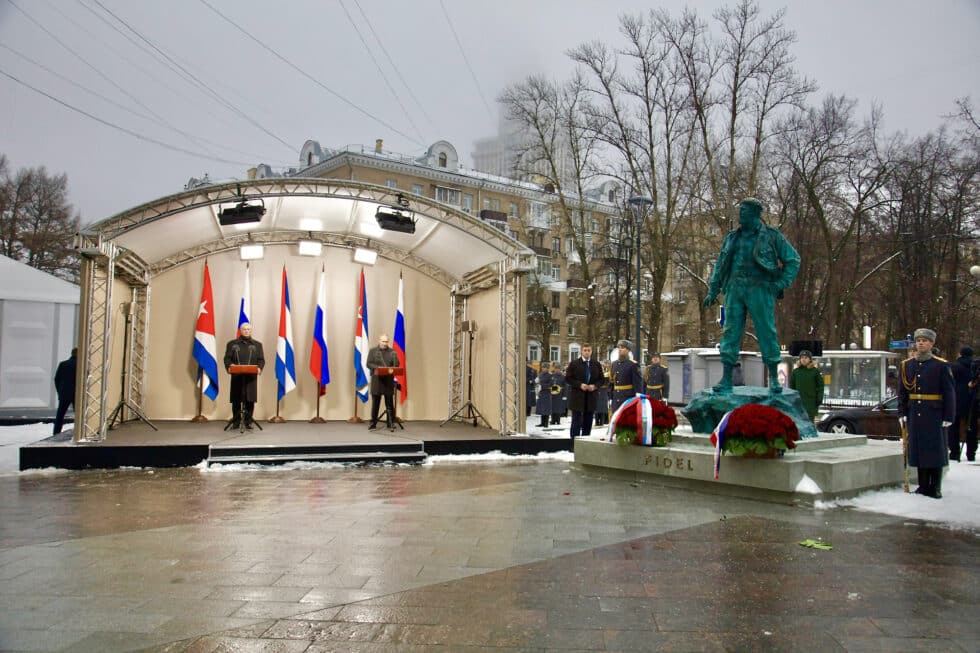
707, 407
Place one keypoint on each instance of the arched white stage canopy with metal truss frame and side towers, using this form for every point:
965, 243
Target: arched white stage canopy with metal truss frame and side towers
126, 253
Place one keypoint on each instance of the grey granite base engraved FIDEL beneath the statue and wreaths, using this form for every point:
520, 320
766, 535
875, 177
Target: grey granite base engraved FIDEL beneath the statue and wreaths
827, 467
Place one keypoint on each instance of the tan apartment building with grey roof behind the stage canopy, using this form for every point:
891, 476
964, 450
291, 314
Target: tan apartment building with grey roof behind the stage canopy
525, 210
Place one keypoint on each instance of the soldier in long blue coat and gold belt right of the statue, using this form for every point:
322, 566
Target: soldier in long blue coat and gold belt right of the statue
927, 405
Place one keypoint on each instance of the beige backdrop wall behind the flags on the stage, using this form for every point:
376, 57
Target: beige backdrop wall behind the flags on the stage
171, 390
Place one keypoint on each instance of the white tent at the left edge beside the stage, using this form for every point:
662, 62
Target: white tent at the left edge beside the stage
38, 322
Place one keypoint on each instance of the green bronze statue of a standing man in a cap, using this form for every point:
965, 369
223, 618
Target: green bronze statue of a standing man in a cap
755, 265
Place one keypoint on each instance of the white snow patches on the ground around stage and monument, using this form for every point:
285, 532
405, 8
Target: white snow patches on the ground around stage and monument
959, 507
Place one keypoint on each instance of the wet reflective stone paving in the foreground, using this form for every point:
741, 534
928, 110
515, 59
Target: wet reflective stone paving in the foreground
461, 557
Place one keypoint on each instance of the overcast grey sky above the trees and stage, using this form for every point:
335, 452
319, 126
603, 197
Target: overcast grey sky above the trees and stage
913, 57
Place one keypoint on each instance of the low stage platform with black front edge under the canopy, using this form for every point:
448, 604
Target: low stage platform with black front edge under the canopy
183, 444
